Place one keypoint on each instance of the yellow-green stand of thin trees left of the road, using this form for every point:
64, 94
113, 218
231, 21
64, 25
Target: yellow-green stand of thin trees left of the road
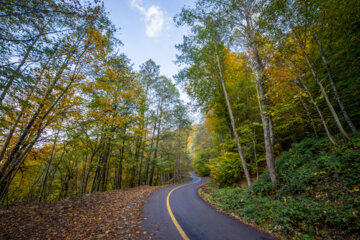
75, 117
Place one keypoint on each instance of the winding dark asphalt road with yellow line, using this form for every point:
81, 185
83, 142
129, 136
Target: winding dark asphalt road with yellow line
194, 217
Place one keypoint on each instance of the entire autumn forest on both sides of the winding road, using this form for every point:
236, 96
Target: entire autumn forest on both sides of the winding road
277, 83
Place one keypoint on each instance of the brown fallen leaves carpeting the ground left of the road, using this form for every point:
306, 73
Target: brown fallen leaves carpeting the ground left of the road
105, 215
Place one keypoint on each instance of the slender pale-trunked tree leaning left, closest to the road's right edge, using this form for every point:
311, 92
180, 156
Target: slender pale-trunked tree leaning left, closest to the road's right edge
207, 42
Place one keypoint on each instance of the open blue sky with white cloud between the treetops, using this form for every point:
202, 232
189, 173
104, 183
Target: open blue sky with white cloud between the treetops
148, 31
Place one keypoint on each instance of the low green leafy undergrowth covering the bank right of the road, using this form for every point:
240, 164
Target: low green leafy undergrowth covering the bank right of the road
318, 195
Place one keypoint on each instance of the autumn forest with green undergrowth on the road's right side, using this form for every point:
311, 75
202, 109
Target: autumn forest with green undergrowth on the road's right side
278, 82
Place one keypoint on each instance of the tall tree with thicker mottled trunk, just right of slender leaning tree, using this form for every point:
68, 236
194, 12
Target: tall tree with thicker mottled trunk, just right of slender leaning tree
240, 17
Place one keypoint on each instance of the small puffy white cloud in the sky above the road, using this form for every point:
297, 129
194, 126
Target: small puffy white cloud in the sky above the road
154, 17
